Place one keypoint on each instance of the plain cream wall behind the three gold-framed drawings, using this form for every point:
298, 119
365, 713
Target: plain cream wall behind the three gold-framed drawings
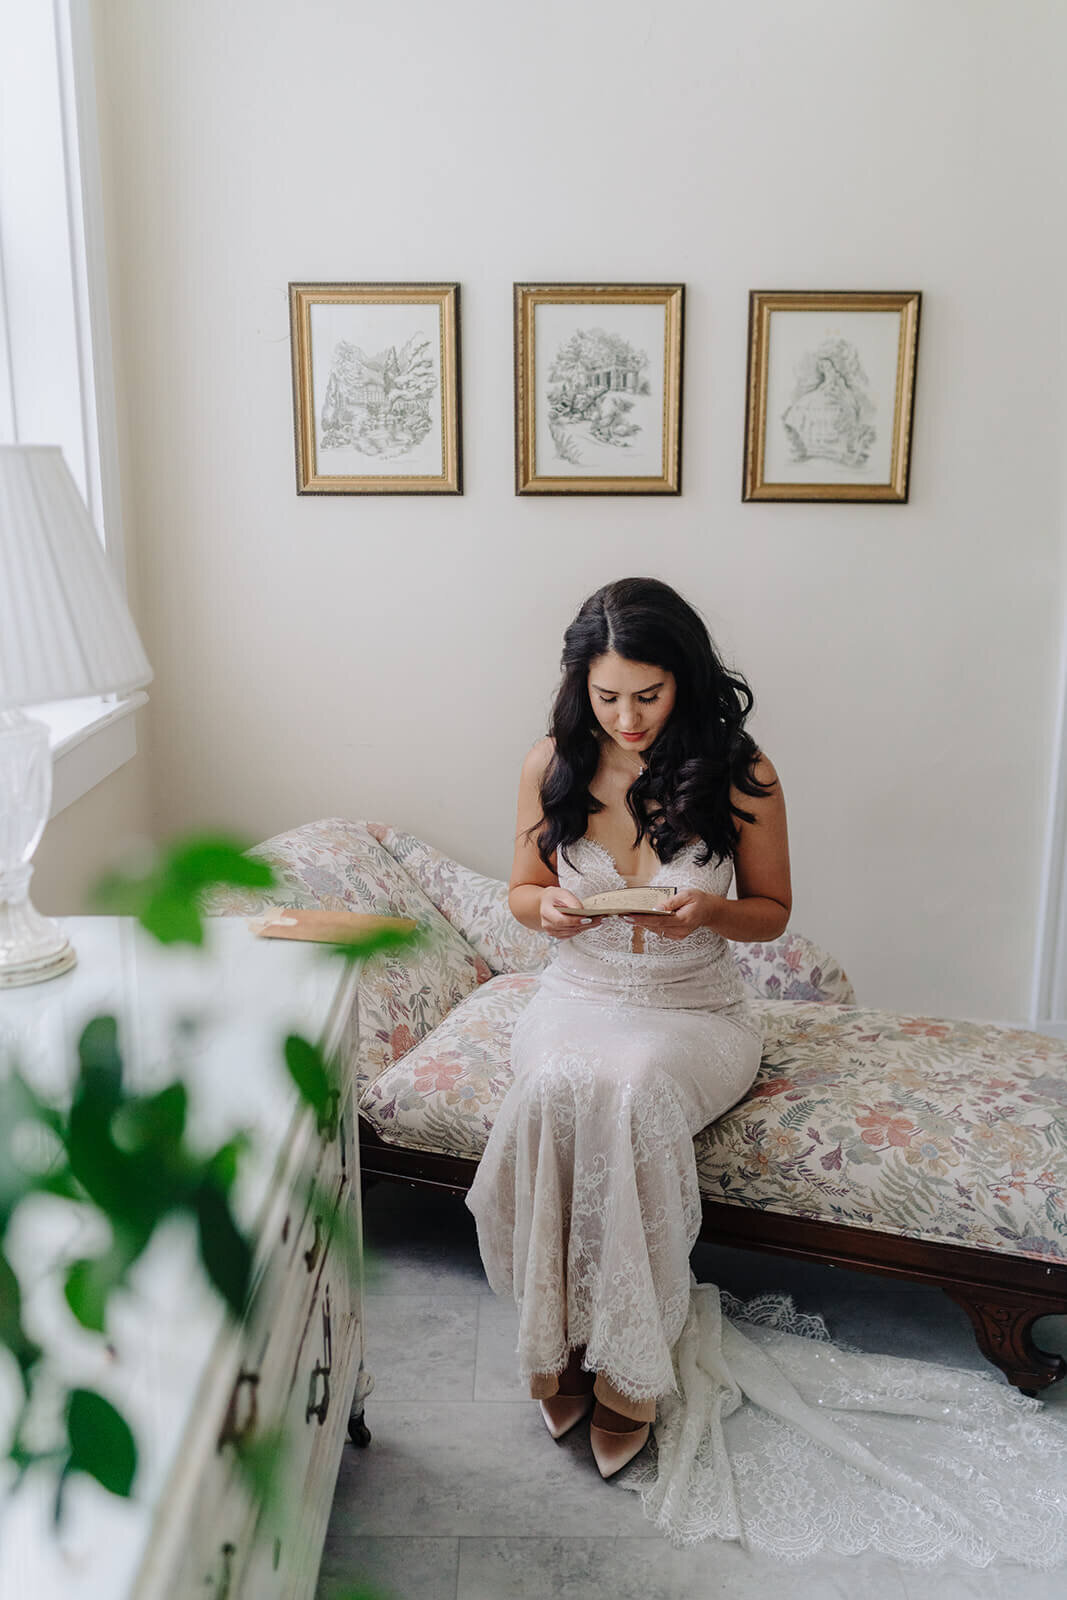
394, 658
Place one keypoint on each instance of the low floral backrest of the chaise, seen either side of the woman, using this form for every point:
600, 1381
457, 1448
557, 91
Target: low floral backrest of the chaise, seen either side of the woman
788, 969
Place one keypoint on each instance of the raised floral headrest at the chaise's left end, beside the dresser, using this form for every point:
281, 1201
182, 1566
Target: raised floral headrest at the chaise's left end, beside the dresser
342, 866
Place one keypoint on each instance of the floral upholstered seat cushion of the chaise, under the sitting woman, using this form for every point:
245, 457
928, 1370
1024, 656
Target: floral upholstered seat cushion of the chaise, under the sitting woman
929, 1129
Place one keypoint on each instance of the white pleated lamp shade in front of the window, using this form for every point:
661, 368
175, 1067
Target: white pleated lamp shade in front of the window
65, 628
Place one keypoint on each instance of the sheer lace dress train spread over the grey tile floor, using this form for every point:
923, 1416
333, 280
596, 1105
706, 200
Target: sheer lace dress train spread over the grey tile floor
794, 1444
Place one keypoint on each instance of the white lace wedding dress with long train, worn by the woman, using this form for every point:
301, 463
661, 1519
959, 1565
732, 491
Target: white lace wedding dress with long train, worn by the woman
588, 1209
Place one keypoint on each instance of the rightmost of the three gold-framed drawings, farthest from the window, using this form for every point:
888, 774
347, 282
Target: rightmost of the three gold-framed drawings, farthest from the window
831, 396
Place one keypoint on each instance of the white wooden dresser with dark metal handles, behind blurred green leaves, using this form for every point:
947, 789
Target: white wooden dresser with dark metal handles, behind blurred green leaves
194, 1386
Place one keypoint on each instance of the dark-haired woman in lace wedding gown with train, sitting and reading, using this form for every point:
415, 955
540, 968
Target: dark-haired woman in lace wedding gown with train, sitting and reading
586, 1199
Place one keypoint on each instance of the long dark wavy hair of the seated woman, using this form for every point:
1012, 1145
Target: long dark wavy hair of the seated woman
684, 793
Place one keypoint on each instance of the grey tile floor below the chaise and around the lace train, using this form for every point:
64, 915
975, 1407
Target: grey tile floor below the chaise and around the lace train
462, 1495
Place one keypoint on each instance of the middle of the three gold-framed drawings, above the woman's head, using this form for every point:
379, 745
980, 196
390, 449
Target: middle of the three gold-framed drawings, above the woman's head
599, 388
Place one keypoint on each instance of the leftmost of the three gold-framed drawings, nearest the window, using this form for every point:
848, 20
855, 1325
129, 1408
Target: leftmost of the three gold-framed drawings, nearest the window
377, 388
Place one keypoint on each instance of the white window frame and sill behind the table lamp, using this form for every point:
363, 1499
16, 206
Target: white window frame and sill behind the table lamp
90, 738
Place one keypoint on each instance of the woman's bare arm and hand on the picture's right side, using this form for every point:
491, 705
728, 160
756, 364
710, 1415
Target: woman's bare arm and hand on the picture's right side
765, 897
